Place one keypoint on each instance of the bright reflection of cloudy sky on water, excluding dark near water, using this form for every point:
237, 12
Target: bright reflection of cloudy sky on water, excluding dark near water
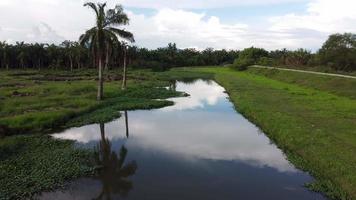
202, 126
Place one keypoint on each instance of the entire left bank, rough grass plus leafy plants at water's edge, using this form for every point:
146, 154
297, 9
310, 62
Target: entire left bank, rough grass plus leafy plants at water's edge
34, 103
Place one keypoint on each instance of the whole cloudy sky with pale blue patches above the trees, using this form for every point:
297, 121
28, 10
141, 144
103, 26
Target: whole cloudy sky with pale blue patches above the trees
230, 24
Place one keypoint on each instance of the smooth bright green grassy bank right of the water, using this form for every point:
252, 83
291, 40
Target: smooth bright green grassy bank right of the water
308, 117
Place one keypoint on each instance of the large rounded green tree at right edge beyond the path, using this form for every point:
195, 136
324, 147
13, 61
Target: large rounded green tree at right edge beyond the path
339, 52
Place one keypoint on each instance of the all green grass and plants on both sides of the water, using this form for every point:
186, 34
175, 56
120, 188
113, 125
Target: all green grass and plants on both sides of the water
312, 118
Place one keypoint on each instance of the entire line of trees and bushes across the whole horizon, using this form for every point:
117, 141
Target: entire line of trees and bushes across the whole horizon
338, 53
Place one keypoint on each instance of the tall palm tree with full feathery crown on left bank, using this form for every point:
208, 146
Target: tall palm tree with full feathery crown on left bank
101, 36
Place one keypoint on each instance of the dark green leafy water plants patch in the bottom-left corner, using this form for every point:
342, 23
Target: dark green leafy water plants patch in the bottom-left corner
36, 163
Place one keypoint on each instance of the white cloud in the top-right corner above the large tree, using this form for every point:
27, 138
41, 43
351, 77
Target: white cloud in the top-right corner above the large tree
323, 17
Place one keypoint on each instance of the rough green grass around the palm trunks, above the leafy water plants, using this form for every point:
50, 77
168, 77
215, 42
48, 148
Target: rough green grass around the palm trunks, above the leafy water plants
31, 106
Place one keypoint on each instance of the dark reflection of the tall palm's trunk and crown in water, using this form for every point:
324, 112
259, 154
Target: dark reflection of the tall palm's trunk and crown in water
114, 172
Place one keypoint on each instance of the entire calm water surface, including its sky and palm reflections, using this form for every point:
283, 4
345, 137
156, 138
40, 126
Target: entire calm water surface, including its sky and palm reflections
200, 148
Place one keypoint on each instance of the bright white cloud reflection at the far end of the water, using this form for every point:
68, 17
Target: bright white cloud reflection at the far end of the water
201, 93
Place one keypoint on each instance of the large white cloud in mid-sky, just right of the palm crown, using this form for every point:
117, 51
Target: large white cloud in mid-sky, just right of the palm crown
186, 29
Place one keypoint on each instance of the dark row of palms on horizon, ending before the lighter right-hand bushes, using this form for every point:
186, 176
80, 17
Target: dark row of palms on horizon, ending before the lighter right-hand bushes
70, 55
